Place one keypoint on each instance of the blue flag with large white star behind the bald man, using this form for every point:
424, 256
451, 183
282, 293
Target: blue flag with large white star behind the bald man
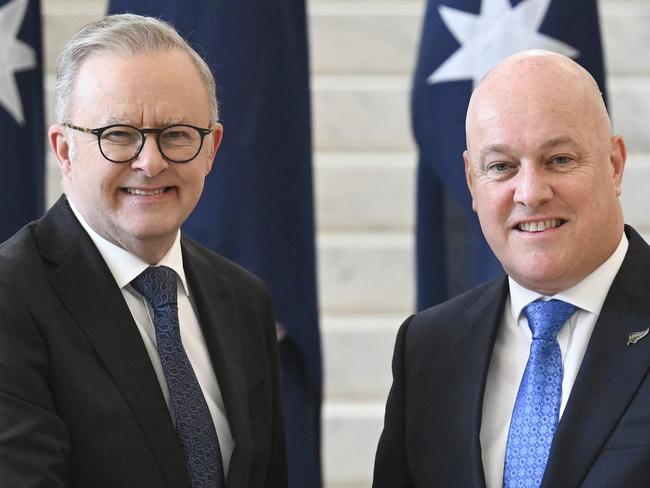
461, 41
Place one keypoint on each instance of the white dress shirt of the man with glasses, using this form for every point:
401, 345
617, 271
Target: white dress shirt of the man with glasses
125, 267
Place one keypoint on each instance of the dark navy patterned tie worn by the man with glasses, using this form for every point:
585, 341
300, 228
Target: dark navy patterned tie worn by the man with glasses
194, 424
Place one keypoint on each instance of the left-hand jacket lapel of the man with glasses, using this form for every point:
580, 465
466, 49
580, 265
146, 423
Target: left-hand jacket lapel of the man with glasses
81, 279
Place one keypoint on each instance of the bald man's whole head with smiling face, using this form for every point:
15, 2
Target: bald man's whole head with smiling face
544, 172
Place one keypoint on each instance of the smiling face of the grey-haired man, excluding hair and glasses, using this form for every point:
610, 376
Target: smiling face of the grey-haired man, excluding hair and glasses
139, 205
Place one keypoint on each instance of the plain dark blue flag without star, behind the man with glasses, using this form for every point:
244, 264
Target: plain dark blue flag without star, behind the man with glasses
257, 206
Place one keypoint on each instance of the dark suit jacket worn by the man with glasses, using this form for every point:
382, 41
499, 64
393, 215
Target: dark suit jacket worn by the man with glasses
80, 404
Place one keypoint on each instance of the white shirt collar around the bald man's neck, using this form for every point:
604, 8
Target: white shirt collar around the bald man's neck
589, 294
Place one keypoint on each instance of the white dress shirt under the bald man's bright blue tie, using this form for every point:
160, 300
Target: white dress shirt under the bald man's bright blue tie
512, 347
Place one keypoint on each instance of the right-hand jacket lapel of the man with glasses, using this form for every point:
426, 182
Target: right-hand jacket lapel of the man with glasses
213, 299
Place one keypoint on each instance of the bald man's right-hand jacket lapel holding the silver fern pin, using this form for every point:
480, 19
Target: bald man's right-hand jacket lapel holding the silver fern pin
610, 372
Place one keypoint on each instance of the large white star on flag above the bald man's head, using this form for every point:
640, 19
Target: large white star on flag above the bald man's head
497, 32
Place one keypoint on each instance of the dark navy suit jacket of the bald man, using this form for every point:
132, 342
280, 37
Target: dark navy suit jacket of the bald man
442, 355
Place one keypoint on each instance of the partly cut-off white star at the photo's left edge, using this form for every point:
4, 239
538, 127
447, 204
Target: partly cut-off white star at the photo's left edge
15, 56
